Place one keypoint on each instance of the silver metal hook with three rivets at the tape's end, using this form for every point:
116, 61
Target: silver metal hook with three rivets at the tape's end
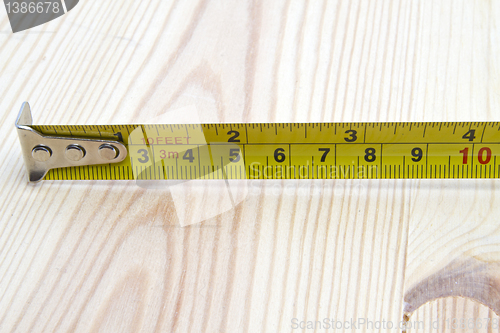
44, 152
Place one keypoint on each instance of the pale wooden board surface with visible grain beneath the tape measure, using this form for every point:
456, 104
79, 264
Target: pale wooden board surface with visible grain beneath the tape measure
114, 257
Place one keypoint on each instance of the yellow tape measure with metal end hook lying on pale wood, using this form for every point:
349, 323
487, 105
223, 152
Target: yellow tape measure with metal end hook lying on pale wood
372, 150
